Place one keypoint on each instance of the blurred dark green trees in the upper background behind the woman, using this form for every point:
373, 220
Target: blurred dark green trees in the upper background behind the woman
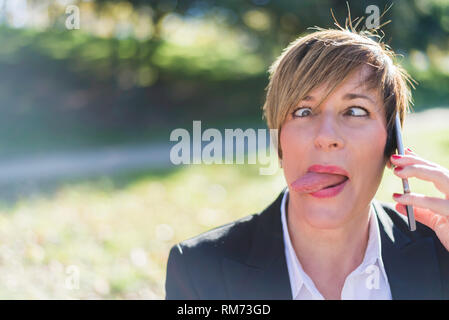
150, 63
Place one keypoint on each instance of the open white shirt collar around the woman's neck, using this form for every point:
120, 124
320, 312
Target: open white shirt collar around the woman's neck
298, 277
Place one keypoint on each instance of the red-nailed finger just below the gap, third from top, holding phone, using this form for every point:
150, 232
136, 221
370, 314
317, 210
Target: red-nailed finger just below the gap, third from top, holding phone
437, 205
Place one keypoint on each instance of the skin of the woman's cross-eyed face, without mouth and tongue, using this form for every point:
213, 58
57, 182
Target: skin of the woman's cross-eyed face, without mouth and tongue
347, 130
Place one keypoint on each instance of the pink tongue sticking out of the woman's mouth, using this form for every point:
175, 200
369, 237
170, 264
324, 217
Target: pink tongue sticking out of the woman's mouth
313, 181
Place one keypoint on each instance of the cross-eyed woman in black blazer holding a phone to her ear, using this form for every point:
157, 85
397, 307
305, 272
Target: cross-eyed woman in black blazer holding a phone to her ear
333, 96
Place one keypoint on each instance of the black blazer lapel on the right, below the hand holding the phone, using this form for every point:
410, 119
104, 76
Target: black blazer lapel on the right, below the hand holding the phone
410, 263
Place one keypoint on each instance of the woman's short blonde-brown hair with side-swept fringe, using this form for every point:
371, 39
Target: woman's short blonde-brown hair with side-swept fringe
328, 56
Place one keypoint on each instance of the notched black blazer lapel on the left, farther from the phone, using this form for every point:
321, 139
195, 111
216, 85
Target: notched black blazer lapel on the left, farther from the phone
264, 274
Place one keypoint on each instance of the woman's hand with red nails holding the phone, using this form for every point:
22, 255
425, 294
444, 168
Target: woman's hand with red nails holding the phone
431, 211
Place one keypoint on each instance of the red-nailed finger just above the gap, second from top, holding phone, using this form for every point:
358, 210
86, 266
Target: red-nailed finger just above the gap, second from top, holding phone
440, 178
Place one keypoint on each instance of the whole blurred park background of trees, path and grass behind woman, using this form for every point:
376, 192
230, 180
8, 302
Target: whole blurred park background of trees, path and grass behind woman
86, 116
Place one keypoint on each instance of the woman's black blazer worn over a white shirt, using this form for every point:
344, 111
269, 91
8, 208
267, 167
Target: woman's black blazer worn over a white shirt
245, 260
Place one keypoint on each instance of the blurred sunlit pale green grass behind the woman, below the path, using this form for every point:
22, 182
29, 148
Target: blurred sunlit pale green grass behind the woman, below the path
117, 231
